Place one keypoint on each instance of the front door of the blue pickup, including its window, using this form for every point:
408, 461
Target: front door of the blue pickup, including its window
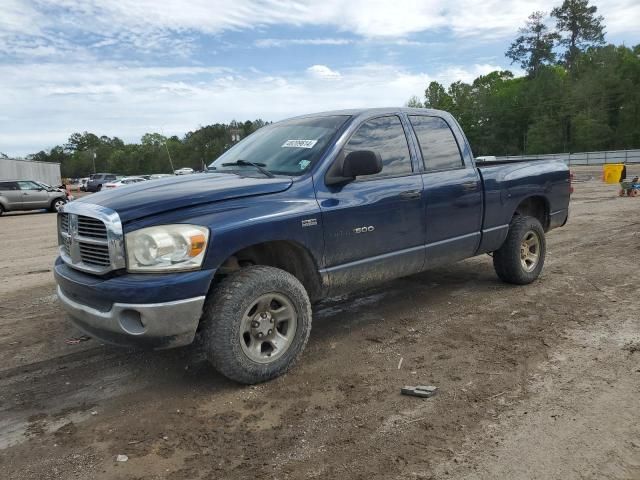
373, 226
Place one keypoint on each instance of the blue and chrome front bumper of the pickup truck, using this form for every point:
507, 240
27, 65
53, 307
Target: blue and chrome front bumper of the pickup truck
151, 311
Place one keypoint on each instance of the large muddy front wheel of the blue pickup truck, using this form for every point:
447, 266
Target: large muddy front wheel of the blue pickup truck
256, 323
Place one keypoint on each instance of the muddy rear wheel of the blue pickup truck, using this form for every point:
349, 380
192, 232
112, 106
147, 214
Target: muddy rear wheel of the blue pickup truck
520, 259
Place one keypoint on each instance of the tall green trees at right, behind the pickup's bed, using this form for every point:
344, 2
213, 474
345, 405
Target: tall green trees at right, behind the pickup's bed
578, 94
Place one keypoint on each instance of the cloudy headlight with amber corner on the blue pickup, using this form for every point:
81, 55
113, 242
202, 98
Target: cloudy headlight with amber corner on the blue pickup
166, 248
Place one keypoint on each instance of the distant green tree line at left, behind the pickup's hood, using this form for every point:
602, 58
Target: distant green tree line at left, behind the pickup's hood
154, 154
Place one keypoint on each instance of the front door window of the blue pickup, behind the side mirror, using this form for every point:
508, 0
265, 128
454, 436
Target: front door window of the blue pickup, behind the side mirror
384, 135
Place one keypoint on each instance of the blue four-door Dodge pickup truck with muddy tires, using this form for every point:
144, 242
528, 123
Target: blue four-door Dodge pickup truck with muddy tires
300, 210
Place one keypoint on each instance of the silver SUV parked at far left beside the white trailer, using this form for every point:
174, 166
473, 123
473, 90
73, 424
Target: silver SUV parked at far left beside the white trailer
29, 195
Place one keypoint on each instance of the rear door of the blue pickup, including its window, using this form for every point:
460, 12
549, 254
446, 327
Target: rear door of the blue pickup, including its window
452, 193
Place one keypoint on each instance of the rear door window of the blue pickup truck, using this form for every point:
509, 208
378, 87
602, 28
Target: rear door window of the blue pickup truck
438, 145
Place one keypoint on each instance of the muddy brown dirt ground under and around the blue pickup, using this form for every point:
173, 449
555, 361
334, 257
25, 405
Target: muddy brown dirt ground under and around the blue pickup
541, 381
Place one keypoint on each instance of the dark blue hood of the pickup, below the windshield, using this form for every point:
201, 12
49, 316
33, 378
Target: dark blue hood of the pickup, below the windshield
171, 193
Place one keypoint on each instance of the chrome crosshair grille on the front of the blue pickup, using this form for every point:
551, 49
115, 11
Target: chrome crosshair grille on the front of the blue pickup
90, 238
